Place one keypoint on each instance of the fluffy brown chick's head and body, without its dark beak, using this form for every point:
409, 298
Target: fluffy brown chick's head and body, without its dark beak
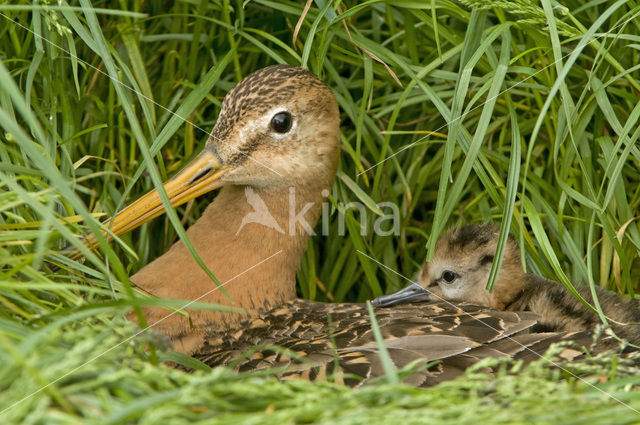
459, 271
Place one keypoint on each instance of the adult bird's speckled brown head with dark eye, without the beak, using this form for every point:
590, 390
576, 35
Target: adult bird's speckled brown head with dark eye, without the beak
277, 127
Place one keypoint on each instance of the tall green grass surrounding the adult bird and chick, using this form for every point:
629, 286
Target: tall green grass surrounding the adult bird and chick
520, 112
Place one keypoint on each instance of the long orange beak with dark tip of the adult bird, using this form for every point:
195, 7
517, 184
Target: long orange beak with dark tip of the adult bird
200, 176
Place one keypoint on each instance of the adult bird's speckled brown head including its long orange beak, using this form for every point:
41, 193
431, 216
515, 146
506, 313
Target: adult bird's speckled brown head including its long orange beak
278, 127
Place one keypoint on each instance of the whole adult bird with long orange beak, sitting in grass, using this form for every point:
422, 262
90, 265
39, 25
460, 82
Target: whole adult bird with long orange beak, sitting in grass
274, 153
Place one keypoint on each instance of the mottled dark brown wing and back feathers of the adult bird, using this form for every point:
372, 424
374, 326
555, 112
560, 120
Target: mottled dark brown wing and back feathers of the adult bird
297, 338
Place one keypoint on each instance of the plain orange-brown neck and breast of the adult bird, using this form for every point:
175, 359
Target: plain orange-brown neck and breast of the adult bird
252, 239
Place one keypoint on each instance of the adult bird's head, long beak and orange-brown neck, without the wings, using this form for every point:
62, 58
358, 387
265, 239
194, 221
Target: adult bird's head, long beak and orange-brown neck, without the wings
274, 153
